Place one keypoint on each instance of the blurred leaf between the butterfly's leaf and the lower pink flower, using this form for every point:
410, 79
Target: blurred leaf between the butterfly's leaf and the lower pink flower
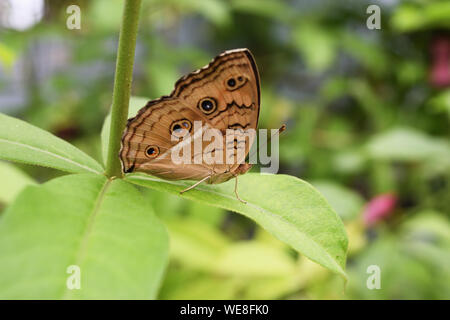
347, 203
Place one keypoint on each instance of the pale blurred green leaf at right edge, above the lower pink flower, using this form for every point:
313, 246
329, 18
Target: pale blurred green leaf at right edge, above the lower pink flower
406, 144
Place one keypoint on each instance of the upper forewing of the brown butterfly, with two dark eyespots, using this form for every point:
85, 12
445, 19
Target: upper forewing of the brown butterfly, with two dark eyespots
232, 80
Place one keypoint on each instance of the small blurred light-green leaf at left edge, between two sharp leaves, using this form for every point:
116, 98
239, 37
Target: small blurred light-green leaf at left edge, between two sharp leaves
12, 181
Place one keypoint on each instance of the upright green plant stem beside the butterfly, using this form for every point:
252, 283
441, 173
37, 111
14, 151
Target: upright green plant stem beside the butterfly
122, 84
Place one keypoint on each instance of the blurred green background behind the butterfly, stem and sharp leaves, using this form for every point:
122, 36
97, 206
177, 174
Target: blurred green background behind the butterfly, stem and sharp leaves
367, 113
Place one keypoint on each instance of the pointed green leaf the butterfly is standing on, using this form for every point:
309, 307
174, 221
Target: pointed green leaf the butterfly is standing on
289, 208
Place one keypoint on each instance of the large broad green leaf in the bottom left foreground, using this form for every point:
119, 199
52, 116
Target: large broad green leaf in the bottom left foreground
105, 227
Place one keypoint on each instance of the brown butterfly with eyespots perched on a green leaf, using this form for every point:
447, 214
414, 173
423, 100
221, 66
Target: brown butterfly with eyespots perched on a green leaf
225, 94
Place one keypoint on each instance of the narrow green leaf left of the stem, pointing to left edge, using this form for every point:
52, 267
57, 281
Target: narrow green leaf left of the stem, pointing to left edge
23, 142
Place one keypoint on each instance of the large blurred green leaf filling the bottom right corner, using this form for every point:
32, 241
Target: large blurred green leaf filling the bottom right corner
413, 263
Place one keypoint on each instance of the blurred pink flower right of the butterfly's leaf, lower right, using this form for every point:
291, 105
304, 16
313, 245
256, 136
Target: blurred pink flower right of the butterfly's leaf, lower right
379, 208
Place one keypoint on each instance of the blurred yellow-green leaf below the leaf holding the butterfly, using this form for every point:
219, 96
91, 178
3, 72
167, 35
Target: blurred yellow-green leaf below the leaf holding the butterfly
198, 246
